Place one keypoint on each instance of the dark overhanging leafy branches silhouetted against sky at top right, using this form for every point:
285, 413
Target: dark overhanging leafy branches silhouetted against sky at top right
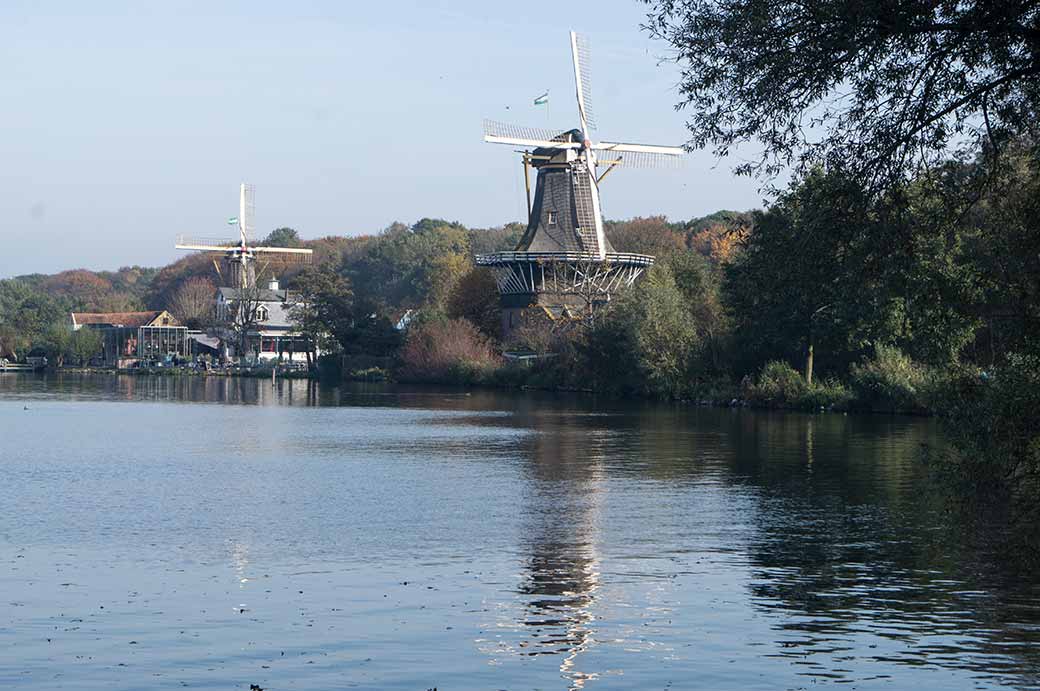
877, 87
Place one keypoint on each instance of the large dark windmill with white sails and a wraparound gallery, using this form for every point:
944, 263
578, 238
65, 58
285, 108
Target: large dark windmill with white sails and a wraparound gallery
564, 266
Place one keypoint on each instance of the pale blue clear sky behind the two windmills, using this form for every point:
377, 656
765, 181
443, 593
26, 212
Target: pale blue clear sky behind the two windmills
126, 124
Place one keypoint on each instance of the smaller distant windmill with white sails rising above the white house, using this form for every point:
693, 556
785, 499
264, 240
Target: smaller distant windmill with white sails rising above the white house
240, 257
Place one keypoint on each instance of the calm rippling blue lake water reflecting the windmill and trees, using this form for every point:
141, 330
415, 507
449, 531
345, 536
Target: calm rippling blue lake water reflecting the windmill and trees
212, 534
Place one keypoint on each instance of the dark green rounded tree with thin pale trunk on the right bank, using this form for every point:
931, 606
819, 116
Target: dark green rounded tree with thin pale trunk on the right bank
807, 279
